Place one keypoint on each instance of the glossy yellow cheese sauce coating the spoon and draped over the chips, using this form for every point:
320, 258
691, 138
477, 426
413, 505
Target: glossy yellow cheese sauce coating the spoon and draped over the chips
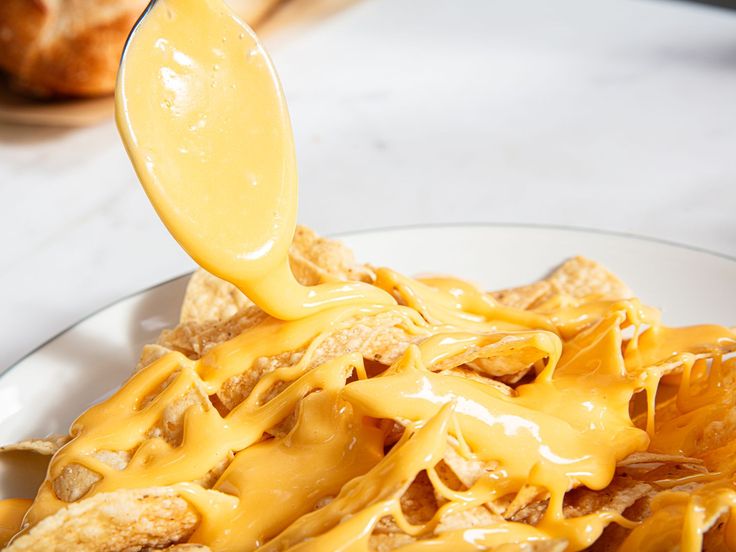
204, 121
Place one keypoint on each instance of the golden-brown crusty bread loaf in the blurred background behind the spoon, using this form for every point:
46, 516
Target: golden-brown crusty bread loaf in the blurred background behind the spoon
72, 47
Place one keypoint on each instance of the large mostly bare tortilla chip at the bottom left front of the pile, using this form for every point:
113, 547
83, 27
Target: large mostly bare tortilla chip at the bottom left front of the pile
129, 520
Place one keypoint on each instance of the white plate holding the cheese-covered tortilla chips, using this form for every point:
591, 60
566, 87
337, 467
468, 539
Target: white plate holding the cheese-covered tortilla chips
46, 390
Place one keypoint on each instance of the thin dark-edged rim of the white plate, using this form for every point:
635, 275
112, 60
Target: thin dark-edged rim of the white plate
390, 228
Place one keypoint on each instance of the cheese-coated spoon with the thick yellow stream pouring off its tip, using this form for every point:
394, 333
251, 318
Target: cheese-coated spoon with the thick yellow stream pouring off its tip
205, 123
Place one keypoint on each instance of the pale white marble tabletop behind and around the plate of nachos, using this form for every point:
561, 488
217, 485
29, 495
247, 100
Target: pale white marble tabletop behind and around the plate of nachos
616, 115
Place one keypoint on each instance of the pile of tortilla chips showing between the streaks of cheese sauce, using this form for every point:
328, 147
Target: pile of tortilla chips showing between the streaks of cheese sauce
648, 487
